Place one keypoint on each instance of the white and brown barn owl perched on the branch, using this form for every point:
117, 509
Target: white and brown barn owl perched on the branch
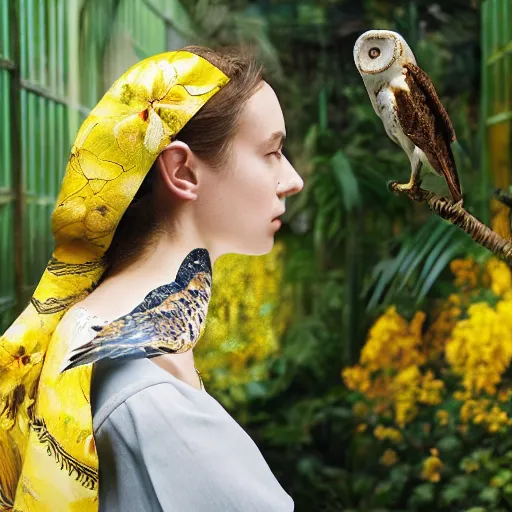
404, 97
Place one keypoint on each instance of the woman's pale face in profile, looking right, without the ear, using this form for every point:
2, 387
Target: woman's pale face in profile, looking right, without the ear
236, 206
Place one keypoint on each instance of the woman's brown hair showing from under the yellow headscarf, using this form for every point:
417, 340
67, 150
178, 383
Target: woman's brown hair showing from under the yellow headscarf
208, 134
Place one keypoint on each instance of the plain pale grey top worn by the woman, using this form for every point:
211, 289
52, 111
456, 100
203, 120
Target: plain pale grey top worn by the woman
164, 445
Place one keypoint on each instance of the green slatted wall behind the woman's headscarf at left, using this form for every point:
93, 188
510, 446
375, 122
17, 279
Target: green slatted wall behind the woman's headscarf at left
57, 57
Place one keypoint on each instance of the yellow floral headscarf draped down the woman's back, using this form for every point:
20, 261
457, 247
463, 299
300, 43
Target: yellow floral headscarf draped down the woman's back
48, 460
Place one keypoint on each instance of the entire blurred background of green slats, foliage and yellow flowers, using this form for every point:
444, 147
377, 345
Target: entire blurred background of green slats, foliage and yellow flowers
368, 355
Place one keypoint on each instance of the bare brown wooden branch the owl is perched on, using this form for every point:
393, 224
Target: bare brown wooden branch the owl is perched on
456, 214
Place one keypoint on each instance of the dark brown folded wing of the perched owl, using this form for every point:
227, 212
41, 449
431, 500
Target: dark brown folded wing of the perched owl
427, 124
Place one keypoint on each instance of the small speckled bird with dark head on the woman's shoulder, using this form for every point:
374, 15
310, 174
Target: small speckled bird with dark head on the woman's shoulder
168, 320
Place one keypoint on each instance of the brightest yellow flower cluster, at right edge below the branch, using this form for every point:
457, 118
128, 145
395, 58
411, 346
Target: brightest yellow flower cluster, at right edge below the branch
480, 348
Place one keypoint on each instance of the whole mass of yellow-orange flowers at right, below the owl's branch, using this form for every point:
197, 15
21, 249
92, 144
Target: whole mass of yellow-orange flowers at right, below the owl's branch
474, 338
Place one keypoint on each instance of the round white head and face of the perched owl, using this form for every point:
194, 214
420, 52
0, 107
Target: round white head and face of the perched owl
376, 51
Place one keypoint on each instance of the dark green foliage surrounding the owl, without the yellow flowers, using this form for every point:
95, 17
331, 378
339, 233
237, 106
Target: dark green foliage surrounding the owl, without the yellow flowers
355, 248
